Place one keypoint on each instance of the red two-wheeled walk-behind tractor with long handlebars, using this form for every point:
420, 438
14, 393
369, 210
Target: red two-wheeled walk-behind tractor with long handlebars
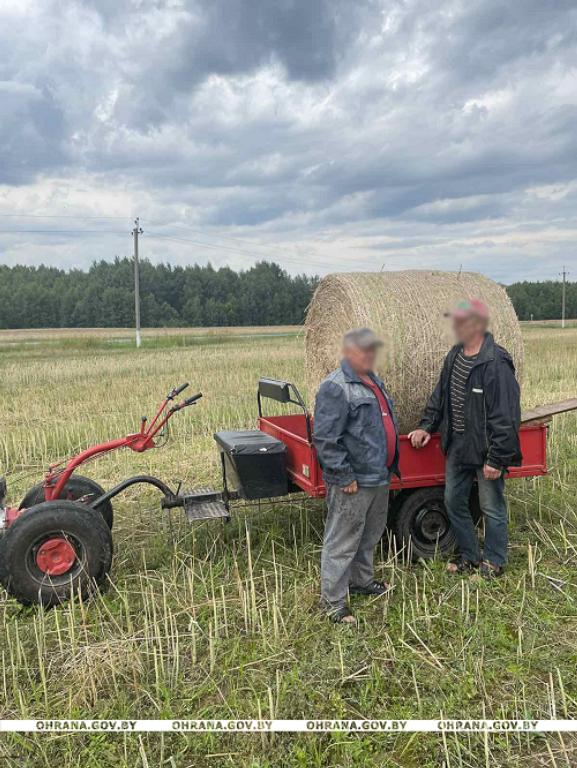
59, 540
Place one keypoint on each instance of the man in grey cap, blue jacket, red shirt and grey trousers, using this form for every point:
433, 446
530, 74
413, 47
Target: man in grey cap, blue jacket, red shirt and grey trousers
357, 444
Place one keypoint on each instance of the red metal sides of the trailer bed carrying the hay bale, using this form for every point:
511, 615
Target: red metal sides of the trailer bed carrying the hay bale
418, 468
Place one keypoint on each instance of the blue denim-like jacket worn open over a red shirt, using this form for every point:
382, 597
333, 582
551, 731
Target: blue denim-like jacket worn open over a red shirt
349, 435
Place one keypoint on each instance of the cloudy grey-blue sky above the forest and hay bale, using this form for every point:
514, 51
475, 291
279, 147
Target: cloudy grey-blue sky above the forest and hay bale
325, 134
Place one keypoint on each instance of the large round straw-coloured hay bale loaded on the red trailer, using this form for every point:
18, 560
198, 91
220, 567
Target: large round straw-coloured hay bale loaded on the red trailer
406, 310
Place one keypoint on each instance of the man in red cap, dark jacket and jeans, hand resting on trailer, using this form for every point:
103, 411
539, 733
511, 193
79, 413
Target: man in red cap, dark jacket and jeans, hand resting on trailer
477, 405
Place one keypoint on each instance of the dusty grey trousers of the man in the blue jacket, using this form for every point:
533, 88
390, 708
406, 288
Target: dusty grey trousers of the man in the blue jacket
354, 526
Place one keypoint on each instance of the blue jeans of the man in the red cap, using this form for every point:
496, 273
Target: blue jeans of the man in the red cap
459, 481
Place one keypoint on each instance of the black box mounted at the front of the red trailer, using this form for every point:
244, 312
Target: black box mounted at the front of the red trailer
254, 463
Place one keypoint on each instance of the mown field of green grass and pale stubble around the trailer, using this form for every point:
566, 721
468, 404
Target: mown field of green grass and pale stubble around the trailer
222, 621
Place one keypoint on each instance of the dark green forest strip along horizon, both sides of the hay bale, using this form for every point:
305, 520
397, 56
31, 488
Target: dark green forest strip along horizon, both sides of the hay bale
47, 297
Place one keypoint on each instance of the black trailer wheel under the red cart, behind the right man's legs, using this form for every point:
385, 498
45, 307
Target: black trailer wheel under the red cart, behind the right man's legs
422, 519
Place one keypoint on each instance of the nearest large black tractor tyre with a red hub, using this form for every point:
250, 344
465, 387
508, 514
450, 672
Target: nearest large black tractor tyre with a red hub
53, 551
